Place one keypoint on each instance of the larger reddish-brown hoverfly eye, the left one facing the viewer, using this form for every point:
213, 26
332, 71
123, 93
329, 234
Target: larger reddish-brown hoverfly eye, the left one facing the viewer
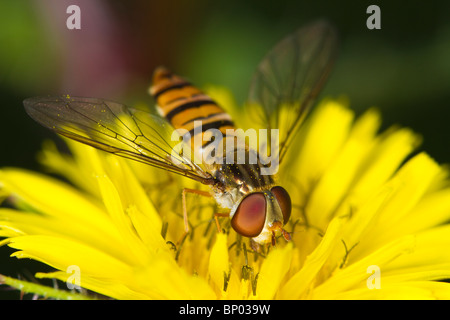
250, 216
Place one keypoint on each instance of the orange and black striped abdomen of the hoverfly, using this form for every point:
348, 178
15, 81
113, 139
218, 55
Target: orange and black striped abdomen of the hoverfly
182, 105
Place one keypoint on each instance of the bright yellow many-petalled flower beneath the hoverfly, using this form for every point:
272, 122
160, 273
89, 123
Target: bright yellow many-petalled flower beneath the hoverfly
369, 221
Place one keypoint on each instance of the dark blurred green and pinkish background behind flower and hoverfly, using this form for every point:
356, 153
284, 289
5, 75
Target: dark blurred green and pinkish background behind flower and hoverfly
403, 69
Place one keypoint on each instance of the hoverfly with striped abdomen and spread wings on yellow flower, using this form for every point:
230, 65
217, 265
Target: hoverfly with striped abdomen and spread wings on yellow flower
290, 75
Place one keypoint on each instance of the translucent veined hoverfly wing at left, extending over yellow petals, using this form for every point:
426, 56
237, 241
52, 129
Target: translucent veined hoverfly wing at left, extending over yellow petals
117, 129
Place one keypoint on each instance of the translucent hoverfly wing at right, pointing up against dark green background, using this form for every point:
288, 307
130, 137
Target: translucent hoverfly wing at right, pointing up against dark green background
290, 76
